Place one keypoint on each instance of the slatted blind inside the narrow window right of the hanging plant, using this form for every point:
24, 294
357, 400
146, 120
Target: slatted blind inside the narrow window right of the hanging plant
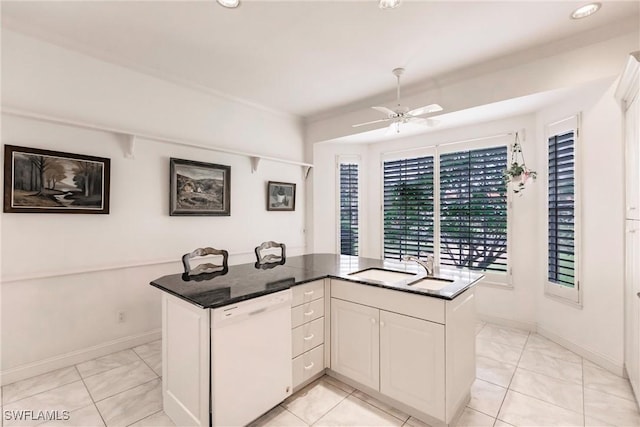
561, 199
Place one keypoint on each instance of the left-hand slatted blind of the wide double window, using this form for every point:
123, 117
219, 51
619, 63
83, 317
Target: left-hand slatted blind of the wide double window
408, 207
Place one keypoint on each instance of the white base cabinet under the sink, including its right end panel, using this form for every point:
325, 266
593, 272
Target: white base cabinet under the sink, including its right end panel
415, 351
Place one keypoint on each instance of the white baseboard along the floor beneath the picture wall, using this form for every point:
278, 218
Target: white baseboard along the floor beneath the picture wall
78, 356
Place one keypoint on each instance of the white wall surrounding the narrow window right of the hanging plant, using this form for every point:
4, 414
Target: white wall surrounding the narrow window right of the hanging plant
596, 326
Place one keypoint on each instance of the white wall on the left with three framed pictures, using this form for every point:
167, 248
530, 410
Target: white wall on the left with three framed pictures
52, 312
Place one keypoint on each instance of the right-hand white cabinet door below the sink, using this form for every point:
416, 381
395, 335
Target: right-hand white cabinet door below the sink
412, 362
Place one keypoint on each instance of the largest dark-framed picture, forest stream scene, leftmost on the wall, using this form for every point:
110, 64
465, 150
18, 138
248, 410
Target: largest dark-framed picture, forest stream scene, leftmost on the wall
43, 181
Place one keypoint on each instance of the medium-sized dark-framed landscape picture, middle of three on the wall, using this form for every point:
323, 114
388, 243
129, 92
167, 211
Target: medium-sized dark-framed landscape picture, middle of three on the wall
201, 189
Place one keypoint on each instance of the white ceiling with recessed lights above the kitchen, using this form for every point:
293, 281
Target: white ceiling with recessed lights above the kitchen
303, 57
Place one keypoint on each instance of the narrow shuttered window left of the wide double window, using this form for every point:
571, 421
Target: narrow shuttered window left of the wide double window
348, 208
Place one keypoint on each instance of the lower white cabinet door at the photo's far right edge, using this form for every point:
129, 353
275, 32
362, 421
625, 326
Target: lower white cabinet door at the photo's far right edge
632, 305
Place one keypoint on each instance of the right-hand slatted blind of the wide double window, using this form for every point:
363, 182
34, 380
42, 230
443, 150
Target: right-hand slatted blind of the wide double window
473, 209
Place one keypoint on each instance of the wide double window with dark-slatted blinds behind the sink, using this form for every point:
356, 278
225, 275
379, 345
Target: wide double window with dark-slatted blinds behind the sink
452, 203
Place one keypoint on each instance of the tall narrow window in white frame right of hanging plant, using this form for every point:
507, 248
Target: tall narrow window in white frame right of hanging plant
562, 207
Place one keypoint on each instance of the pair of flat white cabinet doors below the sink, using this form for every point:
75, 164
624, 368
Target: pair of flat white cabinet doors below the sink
401, 356
